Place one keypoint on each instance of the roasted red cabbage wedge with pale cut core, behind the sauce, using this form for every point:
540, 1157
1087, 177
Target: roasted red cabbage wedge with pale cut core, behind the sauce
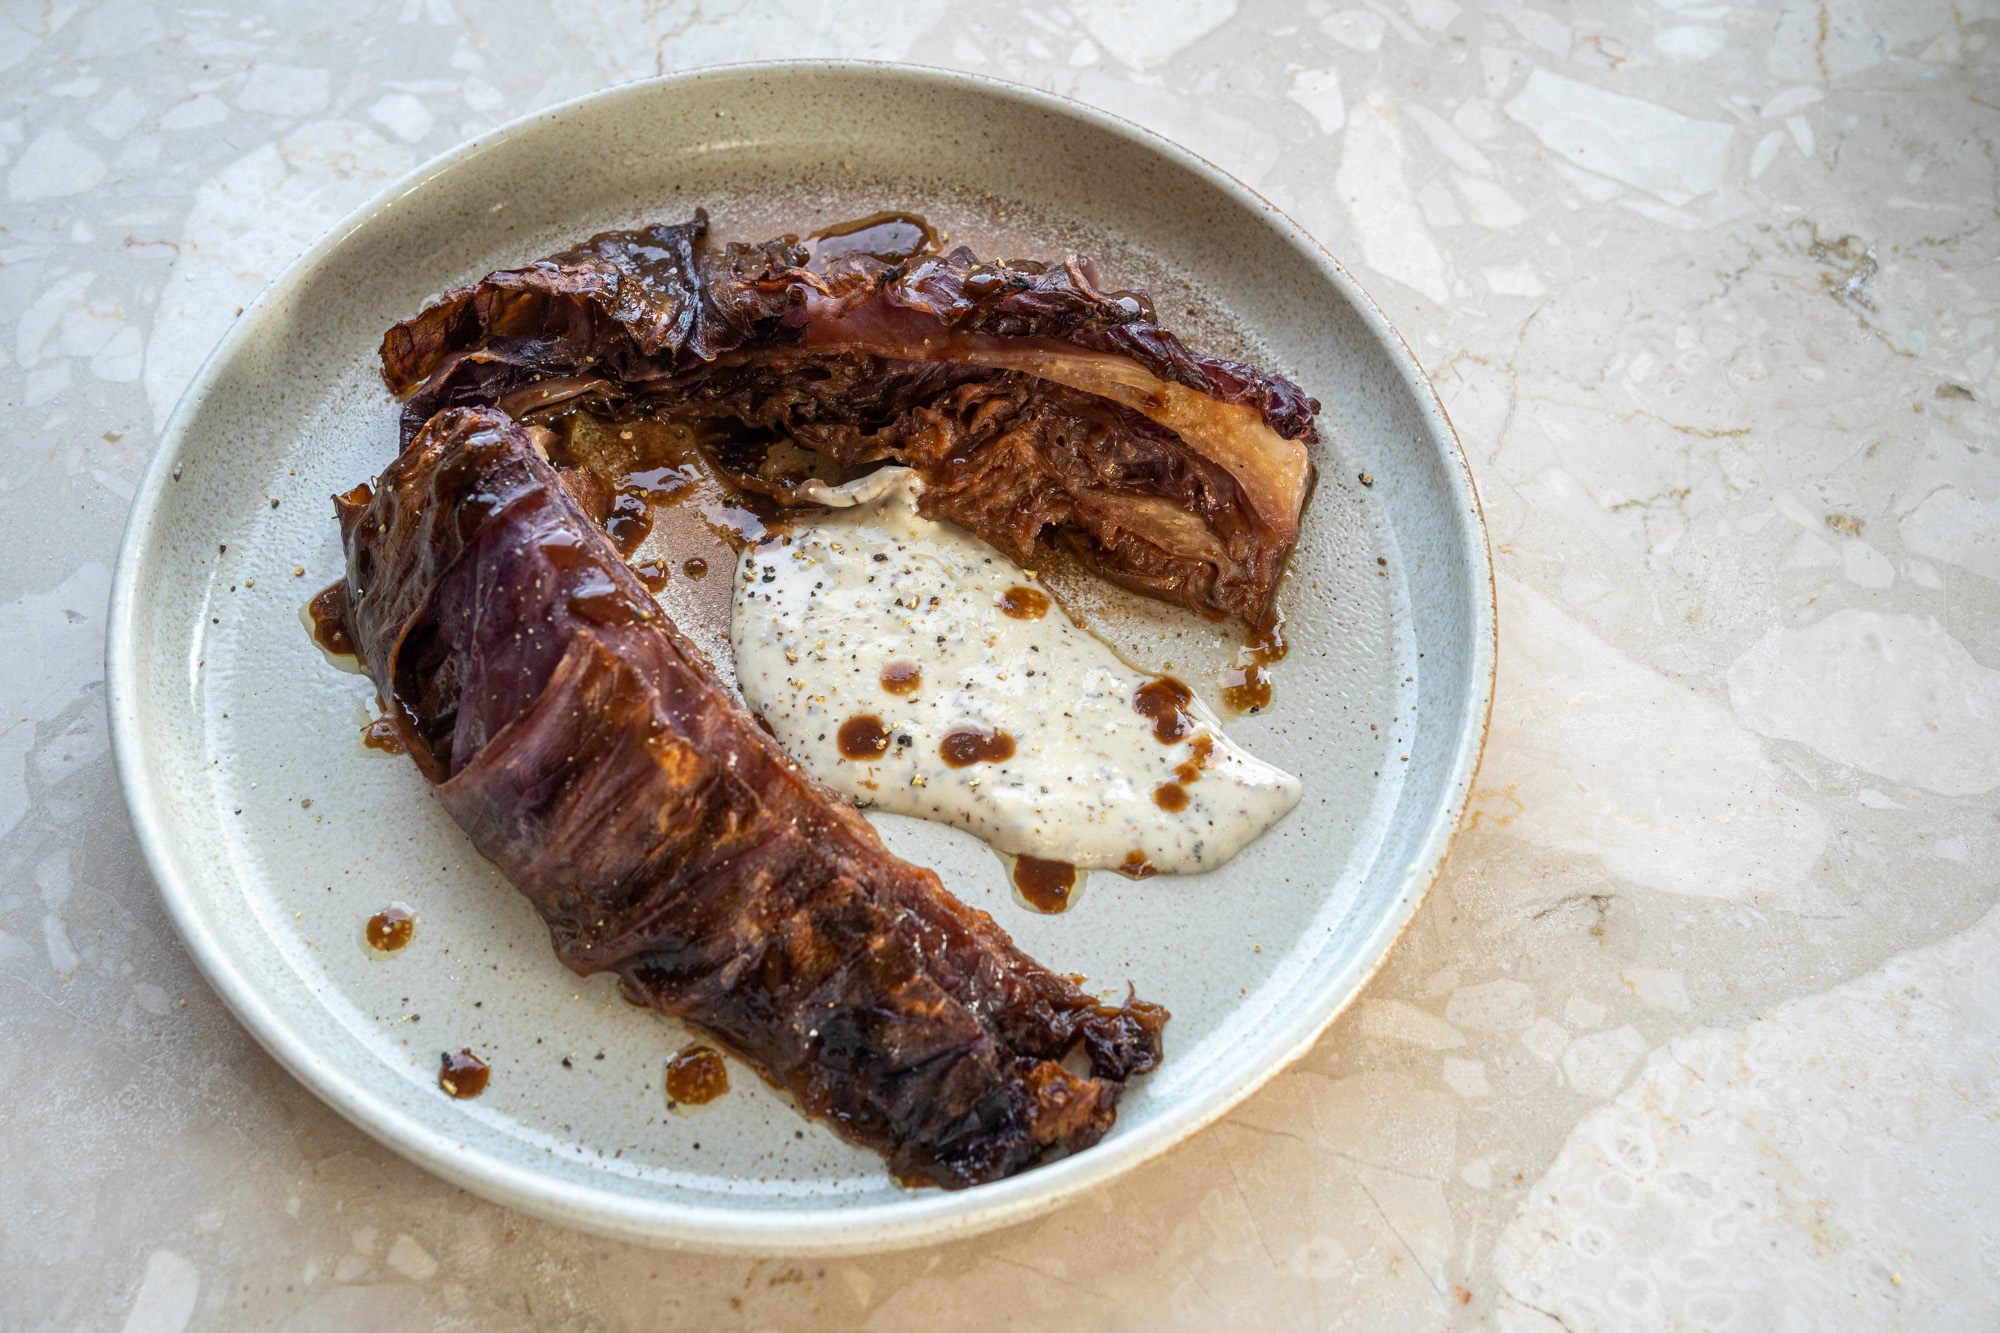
1035, 403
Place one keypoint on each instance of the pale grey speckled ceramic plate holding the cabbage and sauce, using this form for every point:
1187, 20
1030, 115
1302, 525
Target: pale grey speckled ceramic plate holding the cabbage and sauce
275, 836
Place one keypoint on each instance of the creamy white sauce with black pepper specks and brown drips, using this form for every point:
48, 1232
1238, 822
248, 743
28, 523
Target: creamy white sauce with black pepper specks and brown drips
875, 585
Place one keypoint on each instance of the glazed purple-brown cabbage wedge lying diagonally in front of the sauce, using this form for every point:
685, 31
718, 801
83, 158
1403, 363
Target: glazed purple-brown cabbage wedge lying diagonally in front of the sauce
593, 756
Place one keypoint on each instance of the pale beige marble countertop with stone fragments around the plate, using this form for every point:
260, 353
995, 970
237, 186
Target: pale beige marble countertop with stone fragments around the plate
1691, 1034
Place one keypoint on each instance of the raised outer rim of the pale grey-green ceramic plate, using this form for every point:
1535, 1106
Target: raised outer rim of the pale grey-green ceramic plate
919, 1220
